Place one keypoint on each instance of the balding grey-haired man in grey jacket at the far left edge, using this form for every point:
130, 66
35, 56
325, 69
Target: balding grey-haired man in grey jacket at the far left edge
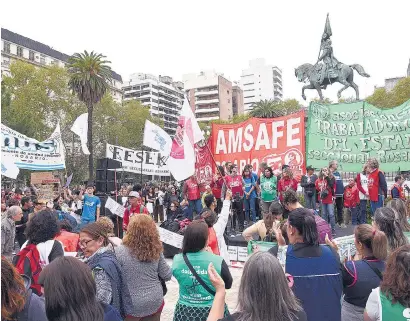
8, 231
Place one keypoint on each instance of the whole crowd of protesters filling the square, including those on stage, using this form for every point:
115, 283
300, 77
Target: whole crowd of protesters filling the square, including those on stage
62, 260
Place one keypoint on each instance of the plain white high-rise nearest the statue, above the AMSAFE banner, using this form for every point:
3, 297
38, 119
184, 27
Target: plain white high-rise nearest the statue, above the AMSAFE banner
260, 82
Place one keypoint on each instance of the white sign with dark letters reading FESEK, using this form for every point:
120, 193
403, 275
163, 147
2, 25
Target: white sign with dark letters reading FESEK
153, 163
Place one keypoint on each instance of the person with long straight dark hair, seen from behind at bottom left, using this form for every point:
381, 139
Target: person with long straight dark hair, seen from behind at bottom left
70, 293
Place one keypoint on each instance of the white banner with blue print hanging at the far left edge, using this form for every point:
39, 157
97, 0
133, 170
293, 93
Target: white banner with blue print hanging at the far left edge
28, 153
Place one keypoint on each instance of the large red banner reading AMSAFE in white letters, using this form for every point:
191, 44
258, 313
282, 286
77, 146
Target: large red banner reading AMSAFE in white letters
276, 141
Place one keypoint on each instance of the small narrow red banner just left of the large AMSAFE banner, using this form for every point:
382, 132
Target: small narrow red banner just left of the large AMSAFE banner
203, 166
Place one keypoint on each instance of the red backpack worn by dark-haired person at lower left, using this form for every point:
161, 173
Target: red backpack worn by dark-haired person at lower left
29, 255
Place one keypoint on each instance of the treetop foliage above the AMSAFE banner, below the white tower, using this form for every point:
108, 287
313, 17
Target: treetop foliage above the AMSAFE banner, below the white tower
270, 108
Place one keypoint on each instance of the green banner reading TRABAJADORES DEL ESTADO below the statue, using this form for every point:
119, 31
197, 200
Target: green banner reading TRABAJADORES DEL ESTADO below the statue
353, 132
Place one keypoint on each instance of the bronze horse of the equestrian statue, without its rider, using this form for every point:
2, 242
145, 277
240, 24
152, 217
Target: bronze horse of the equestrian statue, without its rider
318, 78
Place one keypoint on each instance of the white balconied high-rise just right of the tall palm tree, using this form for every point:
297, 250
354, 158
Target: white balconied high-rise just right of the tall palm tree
164, 96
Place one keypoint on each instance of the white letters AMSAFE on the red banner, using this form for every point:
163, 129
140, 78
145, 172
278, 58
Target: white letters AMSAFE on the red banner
239, 139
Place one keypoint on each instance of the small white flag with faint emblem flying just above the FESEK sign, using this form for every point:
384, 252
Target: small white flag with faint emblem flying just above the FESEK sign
157, 138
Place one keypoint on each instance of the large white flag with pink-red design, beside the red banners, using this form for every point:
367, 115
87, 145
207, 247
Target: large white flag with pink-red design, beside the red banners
181, 162
